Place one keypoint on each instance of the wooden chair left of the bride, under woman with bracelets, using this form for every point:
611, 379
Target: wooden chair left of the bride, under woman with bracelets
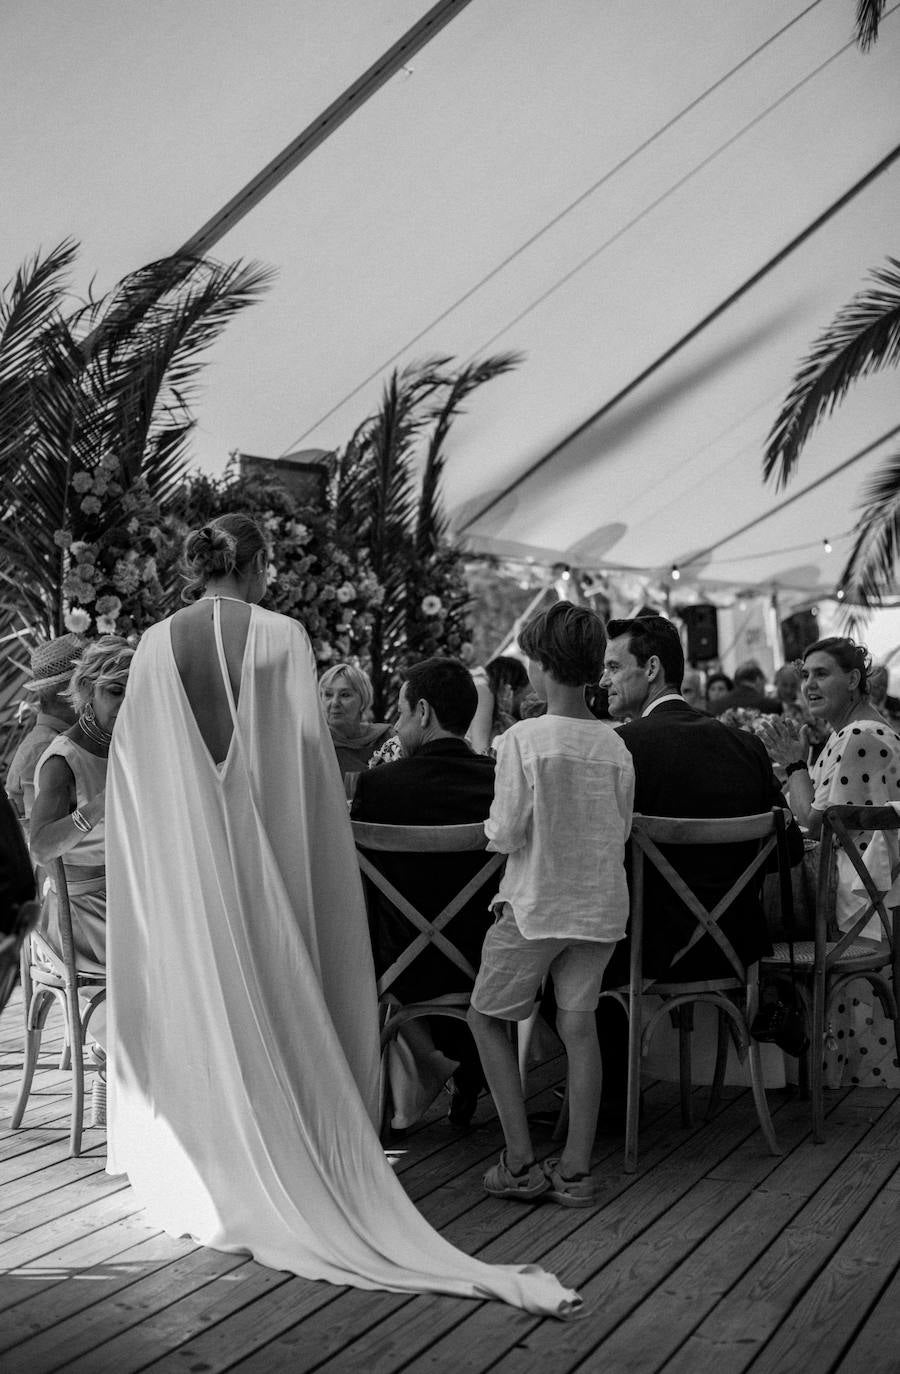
50, 975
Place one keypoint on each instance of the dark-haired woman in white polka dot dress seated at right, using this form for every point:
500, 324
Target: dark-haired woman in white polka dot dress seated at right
859, 766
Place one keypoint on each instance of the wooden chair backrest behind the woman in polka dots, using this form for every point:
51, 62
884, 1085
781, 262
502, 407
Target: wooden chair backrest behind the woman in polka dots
840, 831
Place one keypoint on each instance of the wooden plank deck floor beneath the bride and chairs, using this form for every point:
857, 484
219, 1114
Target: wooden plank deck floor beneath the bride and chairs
714, 1258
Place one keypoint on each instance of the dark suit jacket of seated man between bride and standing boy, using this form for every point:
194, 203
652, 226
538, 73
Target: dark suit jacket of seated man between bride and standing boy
445, 785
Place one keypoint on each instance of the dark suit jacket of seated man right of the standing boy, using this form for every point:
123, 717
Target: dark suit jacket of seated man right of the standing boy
689, 765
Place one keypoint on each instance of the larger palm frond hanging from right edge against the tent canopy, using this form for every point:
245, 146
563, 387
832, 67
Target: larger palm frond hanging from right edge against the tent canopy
864, 339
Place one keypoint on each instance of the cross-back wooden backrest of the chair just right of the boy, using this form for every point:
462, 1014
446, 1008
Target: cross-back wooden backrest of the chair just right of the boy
651, 832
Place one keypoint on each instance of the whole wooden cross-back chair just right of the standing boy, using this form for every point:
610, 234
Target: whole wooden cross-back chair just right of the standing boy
734, 995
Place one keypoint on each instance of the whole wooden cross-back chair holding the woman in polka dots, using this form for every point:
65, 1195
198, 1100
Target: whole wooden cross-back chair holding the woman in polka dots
825, 965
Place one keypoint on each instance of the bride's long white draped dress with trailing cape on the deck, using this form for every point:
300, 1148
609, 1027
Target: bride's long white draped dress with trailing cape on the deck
244, 1035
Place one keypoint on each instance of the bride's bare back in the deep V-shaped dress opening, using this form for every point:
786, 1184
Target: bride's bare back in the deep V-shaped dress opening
197, 662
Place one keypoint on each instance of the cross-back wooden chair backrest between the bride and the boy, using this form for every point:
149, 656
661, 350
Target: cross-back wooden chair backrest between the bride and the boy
435, 840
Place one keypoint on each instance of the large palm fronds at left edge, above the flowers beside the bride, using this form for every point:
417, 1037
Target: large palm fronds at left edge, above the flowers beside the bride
102, 394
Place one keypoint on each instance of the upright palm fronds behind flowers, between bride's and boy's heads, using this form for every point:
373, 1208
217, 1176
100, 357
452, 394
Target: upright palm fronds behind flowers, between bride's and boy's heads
376, 497
